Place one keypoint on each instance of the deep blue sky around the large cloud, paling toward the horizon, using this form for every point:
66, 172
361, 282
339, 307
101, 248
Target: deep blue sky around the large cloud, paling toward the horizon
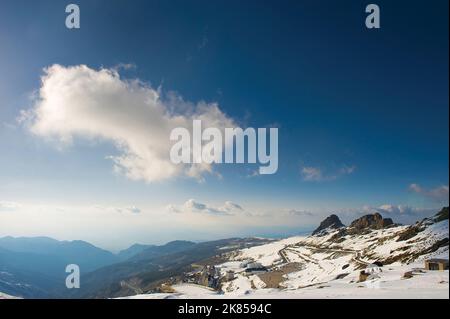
366, 110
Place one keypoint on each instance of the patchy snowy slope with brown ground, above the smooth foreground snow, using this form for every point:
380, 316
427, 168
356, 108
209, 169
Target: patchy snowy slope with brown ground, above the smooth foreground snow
340, 255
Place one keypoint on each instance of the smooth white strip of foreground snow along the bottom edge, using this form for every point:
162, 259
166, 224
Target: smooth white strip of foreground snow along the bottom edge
390, 285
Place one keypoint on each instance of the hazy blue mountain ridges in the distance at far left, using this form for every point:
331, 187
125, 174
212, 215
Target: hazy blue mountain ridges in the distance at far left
34, 267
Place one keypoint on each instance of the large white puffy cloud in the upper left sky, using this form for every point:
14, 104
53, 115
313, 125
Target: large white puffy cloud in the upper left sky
79, 101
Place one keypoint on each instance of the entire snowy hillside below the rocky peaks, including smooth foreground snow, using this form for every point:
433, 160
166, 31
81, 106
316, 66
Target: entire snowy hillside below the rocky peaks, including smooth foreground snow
329, 265
